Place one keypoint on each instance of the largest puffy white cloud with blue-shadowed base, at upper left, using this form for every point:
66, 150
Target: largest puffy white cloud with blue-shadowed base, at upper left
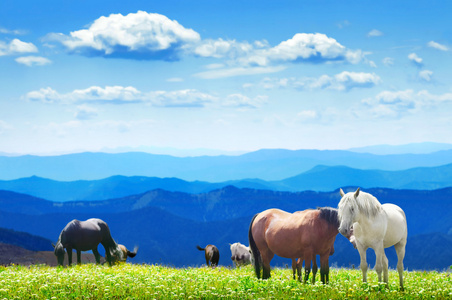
138, 35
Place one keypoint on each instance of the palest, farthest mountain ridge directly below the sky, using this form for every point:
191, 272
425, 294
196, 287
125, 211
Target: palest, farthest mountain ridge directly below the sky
269, 165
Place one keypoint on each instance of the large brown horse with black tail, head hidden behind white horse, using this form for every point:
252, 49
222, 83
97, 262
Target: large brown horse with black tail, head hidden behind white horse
301, 235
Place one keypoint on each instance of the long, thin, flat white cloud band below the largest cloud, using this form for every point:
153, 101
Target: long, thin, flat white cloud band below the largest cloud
129, 95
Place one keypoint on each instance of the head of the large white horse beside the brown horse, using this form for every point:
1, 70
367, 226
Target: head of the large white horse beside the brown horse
347, 212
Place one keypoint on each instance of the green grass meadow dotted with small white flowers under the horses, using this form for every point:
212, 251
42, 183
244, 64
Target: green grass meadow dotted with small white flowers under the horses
127, 281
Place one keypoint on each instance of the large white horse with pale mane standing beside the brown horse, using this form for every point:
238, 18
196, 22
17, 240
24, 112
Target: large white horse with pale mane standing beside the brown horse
367, 223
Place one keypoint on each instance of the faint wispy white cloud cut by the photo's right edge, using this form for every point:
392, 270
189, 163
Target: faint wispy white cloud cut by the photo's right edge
394, 104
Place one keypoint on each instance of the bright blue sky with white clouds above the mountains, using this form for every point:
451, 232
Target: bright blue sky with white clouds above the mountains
225, 75
